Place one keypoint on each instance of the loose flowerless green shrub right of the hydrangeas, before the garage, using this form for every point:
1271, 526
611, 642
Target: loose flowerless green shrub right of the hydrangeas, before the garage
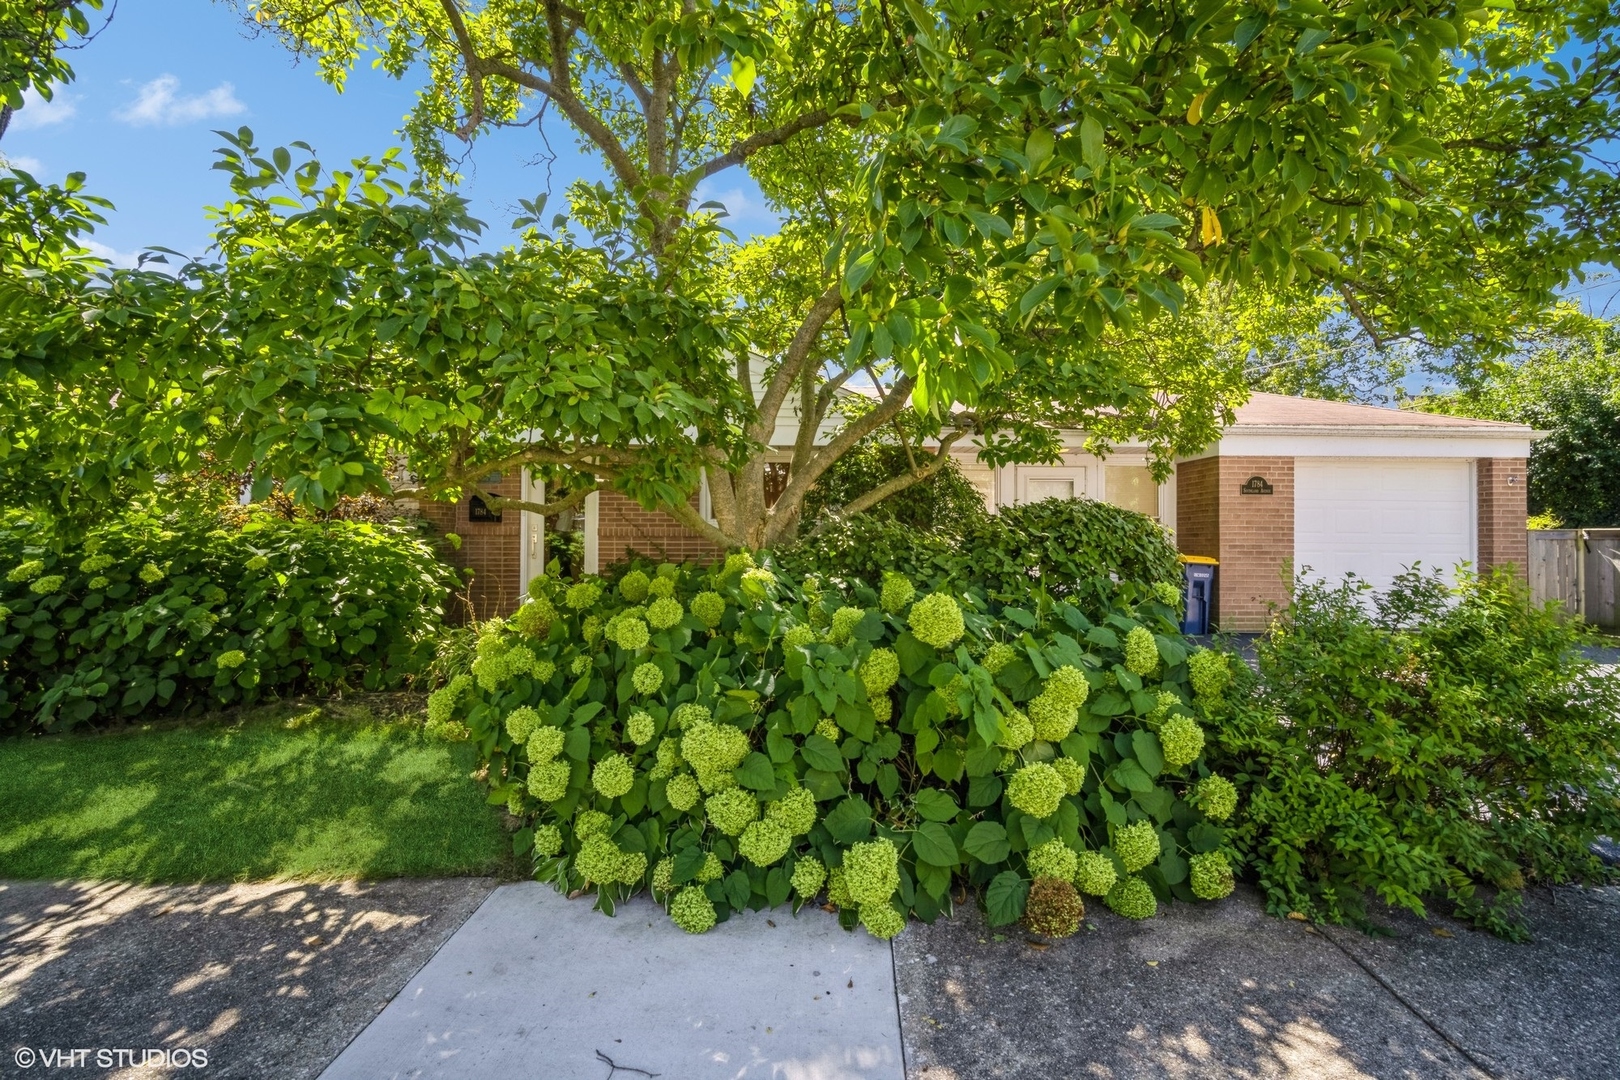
1425, 744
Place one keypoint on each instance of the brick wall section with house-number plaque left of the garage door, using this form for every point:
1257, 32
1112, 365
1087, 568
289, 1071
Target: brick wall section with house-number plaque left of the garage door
1256, 542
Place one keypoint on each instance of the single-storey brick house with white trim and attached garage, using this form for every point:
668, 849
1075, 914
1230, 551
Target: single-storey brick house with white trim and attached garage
1292, 487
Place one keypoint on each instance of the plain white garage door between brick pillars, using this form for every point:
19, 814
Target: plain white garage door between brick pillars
1375, 517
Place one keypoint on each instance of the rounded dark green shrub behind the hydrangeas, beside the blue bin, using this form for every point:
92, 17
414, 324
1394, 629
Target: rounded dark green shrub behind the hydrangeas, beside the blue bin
1068, 548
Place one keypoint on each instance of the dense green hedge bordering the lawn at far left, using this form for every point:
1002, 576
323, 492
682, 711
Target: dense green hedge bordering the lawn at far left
171, 614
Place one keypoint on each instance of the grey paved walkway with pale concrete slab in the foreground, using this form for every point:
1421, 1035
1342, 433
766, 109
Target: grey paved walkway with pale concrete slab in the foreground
289, 982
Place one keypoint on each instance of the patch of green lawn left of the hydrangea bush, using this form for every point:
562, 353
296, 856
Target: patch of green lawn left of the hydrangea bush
310, 796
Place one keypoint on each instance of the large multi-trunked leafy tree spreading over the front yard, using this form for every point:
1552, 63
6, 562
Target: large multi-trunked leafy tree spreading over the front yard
986, 213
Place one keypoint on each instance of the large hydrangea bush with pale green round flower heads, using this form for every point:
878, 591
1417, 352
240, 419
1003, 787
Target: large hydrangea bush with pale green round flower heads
735, 741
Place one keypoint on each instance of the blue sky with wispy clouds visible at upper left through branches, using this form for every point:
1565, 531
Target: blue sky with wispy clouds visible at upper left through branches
156, 83
